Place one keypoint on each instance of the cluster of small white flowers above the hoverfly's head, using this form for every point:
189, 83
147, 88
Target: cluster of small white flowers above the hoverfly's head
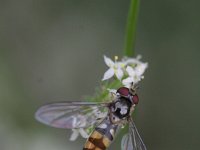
129, 70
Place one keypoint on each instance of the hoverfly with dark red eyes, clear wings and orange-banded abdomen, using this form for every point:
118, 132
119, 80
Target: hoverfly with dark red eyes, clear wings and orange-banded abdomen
106, 118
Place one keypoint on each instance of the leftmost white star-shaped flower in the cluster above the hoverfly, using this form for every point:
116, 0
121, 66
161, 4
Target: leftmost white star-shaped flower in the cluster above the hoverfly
115, 68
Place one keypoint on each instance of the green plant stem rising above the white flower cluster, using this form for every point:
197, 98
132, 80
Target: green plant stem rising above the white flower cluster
130, 35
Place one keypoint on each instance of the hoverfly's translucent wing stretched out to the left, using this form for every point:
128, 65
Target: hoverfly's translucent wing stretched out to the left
72, 114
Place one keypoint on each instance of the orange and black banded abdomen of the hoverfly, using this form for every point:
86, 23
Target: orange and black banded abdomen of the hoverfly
101, 137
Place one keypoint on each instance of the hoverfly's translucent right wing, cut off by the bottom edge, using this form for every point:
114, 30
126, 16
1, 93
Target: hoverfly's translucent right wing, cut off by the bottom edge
132, 140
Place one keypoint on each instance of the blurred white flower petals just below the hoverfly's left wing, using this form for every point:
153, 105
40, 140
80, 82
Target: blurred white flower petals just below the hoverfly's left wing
76, 132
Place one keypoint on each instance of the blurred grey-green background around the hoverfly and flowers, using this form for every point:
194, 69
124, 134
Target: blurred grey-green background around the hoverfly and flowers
54, 49
